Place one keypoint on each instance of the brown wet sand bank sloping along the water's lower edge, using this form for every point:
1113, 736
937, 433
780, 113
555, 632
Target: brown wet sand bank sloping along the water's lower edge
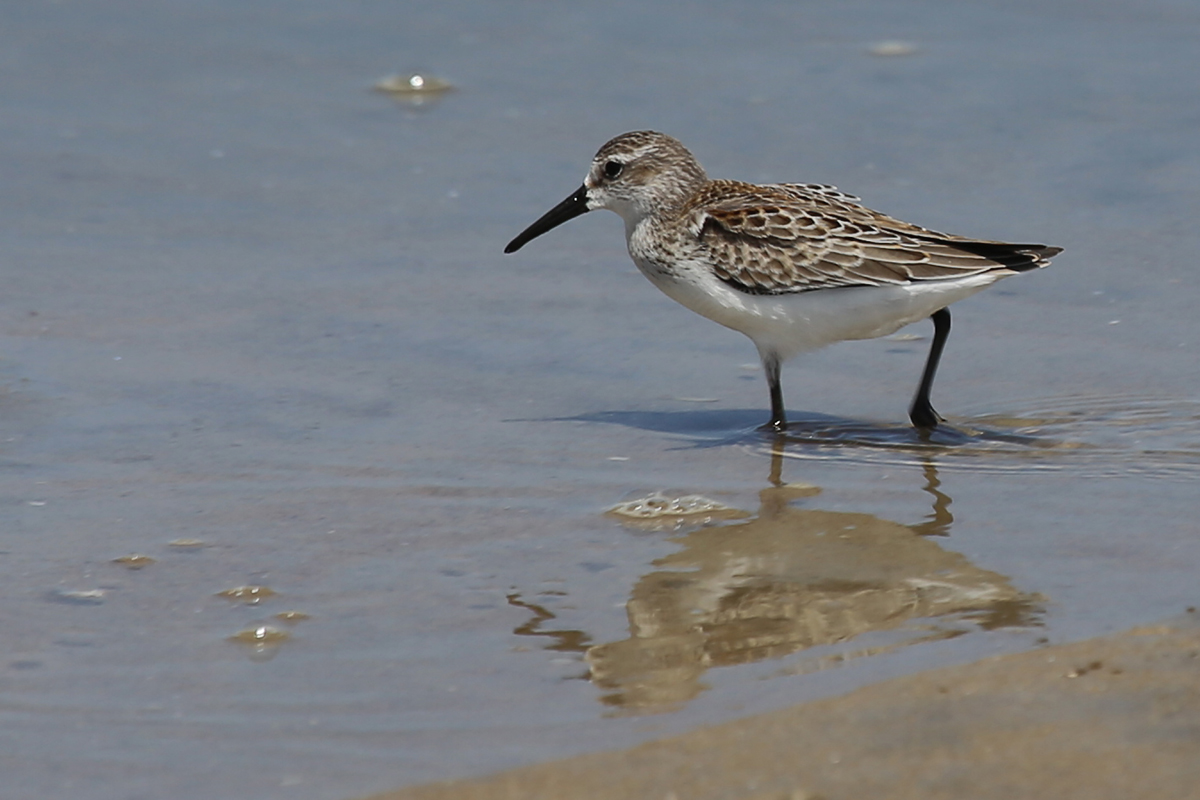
1111, 718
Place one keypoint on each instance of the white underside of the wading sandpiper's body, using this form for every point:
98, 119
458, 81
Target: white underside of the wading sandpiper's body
790, 324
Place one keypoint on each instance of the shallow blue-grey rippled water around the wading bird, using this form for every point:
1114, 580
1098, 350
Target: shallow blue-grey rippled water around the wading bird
257, 327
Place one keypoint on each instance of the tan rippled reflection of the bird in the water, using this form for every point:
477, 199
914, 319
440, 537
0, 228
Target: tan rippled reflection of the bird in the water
785, 581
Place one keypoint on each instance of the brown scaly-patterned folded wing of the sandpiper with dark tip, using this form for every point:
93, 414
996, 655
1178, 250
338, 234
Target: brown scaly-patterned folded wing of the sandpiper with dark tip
799, 238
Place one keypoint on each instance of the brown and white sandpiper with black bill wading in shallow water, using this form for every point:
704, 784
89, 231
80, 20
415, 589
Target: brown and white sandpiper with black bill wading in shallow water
795, 267
